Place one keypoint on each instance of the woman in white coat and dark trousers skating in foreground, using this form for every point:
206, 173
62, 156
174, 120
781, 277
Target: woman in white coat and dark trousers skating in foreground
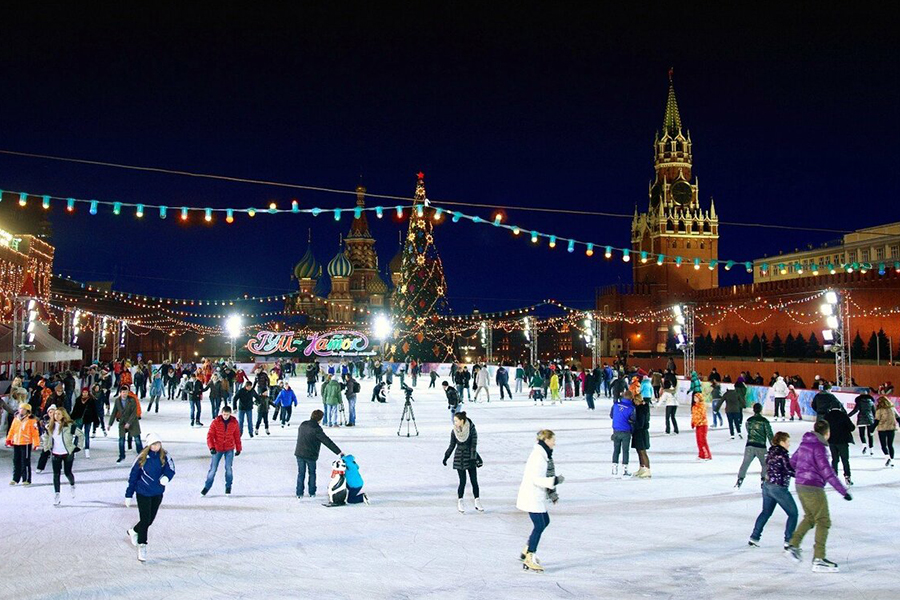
538, 487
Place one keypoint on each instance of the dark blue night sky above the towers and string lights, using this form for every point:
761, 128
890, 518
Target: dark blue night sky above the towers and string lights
793, 118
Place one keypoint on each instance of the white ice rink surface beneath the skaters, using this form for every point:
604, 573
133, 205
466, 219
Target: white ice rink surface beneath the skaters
682, 534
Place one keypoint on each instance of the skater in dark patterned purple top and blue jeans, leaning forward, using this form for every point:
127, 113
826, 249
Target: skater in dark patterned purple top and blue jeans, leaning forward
776, 490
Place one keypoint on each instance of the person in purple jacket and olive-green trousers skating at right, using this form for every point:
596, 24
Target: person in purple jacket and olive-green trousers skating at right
813, 470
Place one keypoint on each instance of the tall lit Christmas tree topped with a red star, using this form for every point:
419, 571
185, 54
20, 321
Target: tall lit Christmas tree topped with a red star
421, 295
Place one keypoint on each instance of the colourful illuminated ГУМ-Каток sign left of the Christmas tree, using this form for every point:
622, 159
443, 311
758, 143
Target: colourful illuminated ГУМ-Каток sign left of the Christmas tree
331, 343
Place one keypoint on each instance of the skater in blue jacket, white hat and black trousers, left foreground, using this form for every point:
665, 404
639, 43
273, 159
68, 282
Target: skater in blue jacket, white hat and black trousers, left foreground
151, 472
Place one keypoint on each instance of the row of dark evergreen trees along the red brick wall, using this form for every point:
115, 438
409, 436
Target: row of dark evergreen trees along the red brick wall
791, 346
